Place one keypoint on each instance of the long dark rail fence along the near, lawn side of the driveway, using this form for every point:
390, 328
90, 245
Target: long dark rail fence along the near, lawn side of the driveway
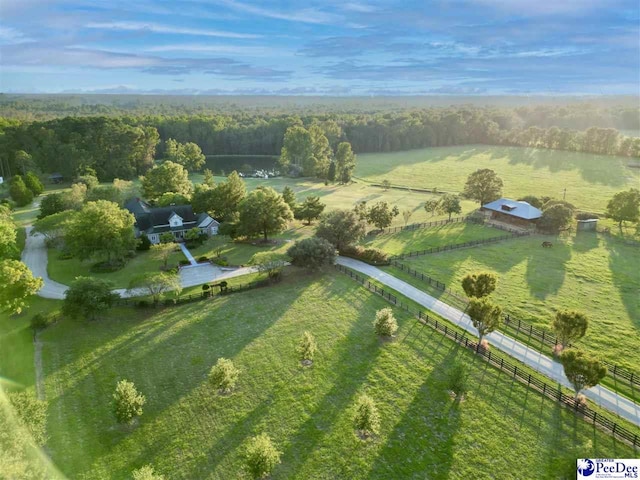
497, 360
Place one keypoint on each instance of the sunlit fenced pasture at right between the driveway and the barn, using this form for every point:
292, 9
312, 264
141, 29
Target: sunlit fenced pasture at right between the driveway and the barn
586, 272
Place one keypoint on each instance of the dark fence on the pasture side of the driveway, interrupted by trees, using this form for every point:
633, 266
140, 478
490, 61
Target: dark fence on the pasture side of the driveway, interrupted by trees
518, 327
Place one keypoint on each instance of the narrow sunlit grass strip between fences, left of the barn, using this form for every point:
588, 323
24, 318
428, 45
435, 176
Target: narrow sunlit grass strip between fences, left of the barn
422, 239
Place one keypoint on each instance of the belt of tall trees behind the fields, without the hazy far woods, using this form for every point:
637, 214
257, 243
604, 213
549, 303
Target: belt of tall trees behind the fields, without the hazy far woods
125, 146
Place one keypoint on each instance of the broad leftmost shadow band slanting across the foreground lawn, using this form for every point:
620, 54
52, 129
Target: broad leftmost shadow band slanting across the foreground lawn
165, 366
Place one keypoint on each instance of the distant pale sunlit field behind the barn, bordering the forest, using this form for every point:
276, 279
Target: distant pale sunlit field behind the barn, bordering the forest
590, 180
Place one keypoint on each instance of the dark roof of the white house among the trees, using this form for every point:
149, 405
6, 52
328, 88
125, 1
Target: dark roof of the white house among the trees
156, 220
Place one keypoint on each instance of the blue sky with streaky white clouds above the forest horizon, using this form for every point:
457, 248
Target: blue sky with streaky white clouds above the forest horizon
328, 47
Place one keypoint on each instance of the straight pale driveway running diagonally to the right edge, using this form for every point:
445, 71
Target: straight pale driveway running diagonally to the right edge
602, 396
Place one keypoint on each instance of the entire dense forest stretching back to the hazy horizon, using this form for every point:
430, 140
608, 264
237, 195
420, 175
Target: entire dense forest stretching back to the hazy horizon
120, 140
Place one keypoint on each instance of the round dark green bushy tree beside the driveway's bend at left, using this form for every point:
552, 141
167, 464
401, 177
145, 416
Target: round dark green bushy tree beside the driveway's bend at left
87, 297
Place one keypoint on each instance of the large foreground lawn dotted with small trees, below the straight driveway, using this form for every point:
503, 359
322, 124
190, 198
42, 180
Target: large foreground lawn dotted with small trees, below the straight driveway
189, 431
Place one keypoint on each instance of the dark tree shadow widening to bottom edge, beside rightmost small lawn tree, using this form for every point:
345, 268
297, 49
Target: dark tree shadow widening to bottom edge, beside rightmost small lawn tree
423, 439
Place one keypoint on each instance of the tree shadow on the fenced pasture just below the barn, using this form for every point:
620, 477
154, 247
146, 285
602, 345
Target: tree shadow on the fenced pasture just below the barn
546, 269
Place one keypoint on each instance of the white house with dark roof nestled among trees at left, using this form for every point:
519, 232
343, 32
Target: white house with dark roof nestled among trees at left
177, 219
